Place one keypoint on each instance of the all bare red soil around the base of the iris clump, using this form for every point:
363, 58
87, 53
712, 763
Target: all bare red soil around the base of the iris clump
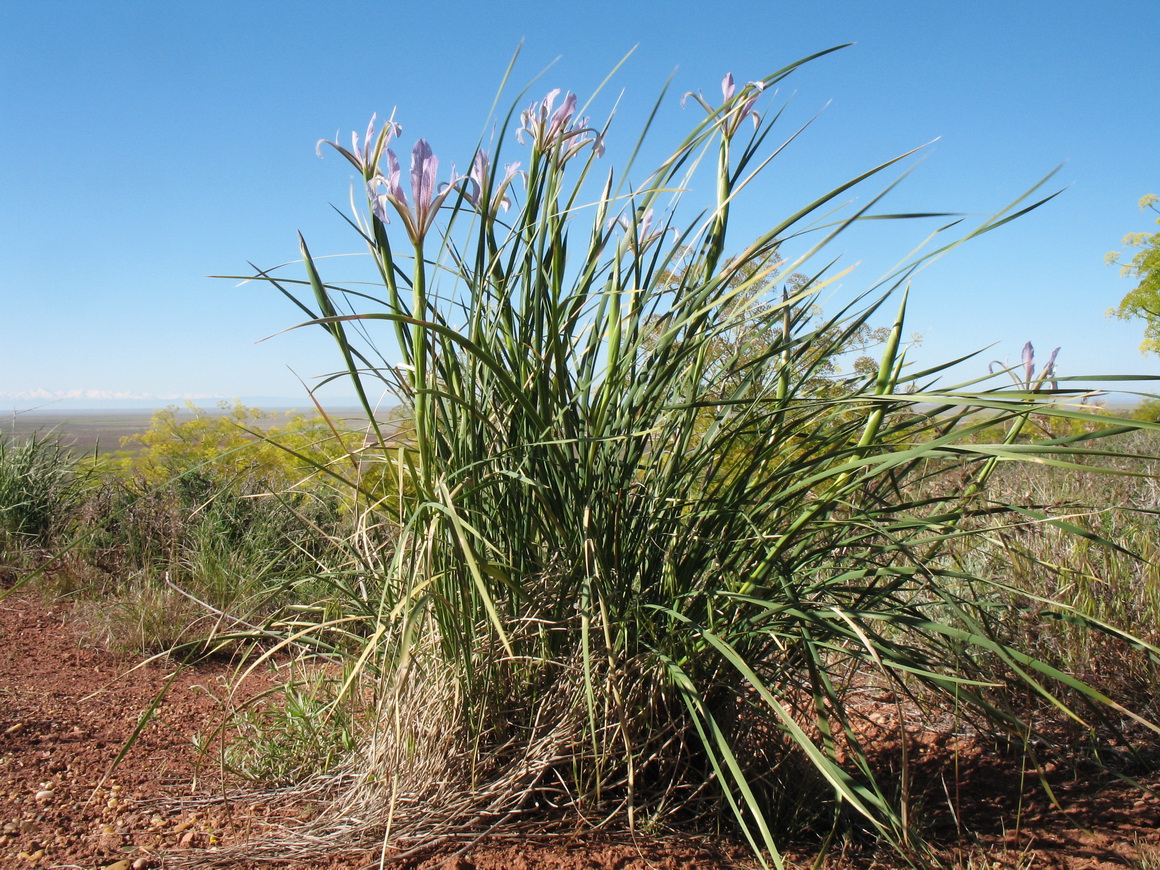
67, 710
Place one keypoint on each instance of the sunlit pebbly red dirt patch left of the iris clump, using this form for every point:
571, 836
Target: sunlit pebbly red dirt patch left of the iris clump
66, 714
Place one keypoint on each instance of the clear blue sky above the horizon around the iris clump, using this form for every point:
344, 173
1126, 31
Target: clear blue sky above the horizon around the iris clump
150, 146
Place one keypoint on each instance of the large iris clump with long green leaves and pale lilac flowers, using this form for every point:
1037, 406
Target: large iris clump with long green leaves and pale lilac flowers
641, 562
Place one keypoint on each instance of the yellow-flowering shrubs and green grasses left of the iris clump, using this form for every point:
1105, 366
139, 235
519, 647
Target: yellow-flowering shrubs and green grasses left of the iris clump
208, 523
